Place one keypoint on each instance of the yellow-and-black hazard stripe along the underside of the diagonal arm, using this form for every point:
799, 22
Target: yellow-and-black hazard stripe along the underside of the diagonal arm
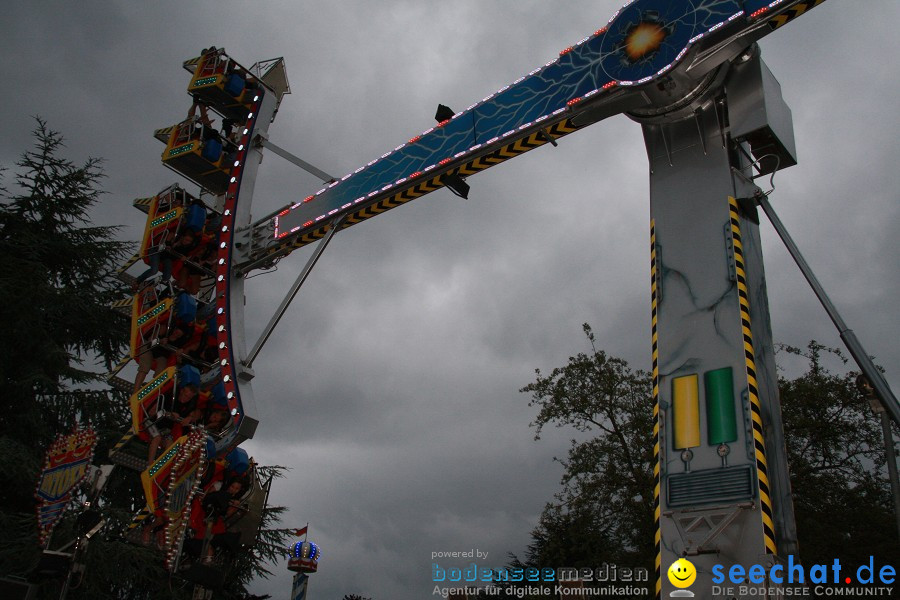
475, 165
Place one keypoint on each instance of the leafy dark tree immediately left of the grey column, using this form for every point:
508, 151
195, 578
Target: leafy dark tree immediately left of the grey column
604, 513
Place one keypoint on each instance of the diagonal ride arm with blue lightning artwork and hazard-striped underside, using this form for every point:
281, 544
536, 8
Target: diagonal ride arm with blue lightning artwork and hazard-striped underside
586, 83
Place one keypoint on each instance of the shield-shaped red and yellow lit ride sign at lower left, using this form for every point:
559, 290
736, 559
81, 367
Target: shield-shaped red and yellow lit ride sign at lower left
65, 466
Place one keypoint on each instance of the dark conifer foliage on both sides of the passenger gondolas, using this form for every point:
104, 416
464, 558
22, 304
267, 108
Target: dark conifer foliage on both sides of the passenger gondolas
59, 336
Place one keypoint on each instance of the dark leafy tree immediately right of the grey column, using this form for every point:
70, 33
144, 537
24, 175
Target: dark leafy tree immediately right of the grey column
842, 496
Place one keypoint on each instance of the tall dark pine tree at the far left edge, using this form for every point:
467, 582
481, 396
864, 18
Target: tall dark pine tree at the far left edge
58, 333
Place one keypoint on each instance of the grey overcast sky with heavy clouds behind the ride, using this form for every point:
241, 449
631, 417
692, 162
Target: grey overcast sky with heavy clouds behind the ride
390, 388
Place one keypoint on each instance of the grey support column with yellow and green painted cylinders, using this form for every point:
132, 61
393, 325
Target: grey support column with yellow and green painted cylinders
723, 498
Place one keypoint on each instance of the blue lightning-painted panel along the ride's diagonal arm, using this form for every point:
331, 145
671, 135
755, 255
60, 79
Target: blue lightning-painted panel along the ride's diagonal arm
596, 64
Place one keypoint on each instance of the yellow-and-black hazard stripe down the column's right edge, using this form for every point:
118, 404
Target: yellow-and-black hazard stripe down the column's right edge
759, 443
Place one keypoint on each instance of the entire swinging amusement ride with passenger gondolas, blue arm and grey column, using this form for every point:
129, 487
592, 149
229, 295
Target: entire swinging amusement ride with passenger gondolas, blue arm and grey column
713, 120
